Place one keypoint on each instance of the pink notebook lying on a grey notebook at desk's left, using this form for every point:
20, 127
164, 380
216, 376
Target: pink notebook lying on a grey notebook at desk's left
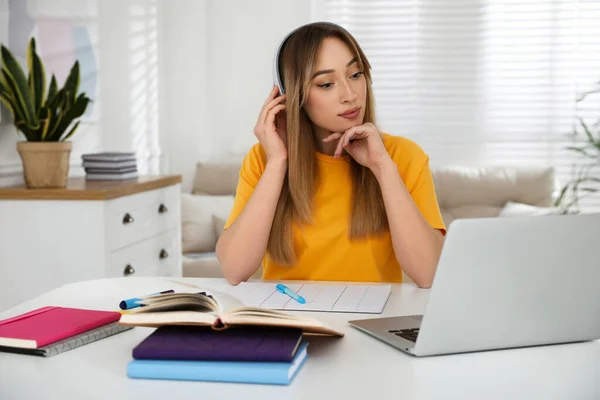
50, 324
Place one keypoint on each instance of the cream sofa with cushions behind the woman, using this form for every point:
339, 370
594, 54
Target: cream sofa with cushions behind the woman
463, 192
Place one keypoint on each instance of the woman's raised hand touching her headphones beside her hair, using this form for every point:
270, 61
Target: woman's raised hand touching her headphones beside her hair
270, 129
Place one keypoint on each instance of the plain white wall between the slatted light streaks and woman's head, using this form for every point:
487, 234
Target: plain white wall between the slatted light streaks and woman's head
218, 58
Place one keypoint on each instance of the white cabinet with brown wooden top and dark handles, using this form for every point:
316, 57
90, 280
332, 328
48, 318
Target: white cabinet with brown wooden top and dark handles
91, 230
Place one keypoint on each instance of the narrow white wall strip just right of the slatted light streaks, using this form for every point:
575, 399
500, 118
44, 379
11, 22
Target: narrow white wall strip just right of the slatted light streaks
184, 107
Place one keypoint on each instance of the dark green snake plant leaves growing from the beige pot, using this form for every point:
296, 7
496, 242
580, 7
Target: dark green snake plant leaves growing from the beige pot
40, 116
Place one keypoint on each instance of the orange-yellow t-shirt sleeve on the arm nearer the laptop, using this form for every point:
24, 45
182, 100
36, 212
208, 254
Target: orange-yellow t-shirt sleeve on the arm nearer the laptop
424, 196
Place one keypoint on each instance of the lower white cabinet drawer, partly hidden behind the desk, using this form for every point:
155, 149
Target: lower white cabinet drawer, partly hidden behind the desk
157, 256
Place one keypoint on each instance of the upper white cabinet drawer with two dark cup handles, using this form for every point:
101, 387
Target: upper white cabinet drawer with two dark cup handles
130, 219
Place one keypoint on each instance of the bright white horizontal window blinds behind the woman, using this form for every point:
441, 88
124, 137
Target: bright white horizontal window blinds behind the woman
479, 82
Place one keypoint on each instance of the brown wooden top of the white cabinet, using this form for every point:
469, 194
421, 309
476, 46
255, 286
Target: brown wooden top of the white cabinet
82, 189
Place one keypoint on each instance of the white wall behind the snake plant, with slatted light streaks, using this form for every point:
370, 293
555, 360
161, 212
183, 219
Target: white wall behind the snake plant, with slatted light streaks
127, 72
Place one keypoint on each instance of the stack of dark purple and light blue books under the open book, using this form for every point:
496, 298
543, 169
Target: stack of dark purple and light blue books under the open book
264, 355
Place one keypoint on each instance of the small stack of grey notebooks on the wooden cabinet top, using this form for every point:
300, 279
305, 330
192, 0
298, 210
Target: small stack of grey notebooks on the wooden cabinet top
110, 166
